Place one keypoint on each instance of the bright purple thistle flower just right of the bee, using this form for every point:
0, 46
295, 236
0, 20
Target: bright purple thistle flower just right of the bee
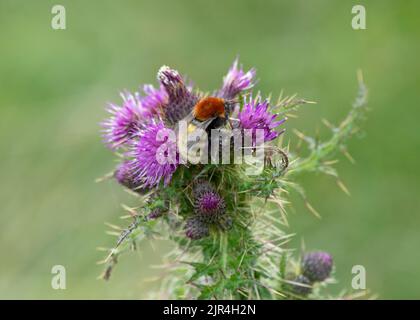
255, 115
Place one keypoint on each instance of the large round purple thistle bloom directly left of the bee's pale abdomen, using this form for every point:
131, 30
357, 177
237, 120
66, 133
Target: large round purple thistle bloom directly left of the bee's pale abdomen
154, 155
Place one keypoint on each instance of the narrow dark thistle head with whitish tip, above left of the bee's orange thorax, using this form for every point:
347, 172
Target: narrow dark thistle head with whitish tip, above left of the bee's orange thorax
181, 99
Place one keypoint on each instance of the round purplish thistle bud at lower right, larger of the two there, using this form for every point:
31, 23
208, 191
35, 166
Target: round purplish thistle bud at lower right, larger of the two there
317, 265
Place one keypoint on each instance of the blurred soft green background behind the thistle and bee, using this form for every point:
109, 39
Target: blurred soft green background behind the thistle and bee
54, 85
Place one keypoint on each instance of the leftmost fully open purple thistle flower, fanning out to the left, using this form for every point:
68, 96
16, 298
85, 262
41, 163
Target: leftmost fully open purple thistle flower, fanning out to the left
123, 124
